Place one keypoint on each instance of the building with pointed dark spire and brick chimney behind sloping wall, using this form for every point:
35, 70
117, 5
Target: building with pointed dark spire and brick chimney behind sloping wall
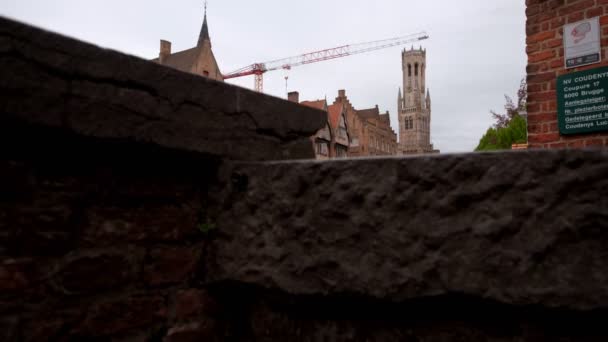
197, 60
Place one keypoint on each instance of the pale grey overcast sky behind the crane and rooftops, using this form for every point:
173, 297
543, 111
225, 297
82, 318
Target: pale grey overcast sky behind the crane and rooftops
475, 54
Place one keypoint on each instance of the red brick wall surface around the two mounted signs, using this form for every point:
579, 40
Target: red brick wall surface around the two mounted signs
544, 30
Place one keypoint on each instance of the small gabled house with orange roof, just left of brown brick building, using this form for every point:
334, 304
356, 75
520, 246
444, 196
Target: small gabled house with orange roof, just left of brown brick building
332, 141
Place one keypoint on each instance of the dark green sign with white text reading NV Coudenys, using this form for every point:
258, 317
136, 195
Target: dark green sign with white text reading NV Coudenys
582, 101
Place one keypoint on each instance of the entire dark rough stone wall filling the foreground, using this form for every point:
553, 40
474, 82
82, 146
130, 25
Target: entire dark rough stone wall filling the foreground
127, 223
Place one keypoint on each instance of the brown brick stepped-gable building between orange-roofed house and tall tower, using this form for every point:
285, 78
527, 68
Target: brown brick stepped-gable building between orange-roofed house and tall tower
370, 132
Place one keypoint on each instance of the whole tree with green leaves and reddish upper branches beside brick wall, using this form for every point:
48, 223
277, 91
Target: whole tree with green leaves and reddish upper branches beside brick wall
510, 128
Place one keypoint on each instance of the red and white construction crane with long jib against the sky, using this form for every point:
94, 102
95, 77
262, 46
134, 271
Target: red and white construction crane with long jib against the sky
259, 69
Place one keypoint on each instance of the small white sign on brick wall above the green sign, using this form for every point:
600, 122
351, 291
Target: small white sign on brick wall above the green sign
582, 44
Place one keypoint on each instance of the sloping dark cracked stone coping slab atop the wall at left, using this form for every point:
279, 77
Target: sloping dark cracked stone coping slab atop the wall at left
52, 80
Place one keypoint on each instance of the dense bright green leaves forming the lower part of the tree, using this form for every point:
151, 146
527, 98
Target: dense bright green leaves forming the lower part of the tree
503, 137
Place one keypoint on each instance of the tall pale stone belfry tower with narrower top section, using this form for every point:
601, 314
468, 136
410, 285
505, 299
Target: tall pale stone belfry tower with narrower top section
414, 106
